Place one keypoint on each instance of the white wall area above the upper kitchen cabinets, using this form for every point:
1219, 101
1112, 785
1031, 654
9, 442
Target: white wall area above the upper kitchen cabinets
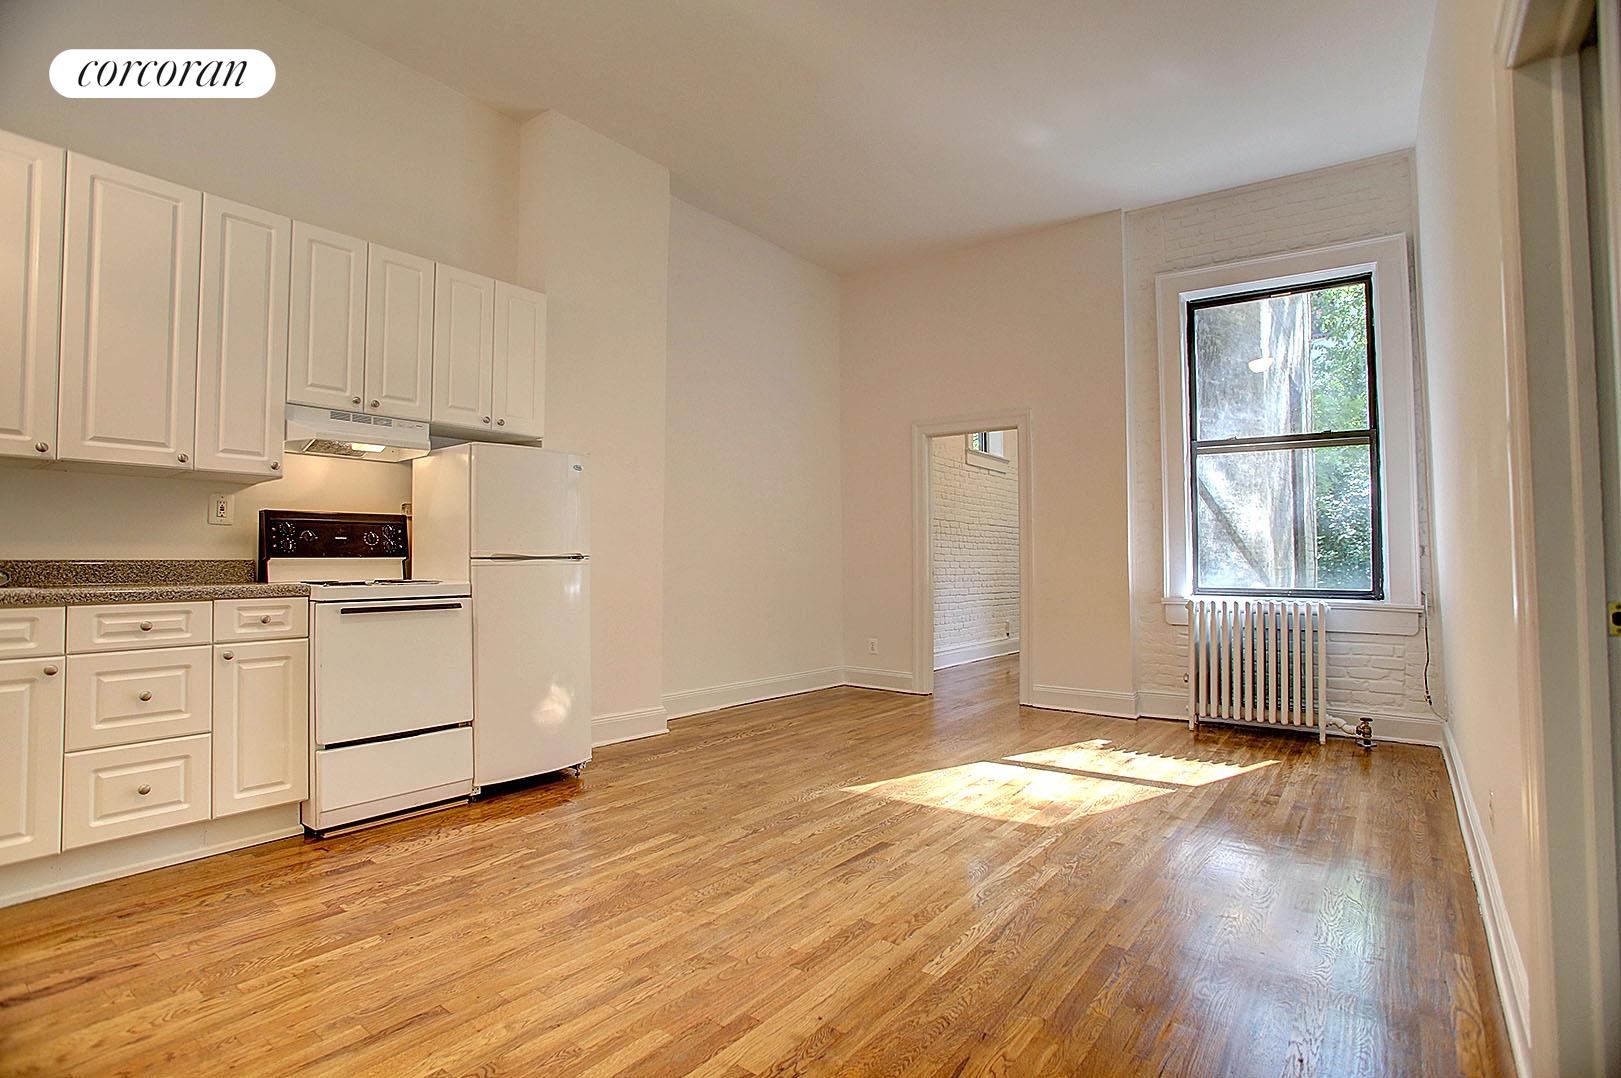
348, 139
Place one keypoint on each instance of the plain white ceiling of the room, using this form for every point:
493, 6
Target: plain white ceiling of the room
855, 132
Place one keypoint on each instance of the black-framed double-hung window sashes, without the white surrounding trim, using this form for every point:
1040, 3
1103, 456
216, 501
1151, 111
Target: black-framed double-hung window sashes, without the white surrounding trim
1283, 442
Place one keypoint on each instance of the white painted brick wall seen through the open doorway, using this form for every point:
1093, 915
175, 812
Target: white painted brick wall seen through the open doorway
975, 547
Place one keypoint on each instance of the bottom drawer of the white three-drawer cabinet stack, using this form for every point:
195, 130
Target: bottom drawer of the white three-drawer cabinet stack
132, 790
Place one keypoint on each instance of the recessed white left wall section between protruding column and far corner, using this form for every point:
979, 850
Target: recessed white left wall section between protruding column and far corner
753, 570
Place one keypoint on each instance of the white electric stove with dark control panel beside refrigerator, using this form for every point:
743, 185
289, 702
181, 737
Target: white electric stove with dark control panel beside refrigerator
391, 667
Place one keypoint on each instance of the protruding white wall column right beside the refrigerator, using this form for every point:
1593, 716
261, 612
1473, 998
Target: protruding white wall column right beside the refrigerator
594, 234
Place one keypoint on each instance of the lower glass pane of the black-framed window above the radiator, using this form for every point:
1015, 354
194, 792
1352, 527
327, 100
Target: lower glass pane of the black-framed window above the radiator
1286, 520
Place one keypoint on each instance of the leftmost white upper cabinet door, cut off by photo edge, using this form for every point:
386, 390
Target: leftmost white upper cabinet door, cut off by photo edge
32, 178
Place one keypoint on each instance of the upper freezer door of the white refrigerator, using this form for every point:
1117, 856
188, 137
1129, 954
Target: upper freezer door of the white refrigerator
528, 502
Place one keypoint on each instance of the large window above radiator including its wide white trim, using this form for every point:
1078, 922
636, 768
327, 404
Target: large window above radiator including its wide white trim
1288, 432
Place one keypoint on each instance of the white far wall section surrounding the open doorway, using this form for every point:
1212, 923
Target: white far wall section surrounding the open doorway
1032, 322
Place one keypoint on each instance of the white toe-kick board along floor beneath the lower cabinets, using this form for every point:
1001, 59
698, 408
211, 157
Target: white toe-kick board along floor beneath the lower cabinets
142, 853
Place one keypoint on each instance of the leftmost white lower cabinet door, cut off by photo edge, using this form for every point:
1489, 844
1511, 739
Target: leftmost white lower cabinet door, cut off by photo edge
32, 759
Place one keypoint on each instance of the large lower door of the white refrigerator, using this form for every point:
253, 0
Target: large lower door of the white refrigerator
532, 693
